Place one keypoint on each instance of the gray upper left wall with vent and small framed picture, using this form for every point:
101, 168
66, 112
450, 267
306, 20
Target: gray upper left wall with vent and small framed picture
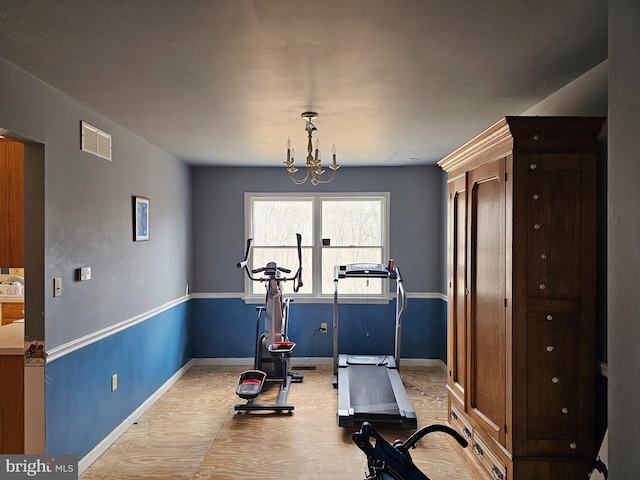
88, 215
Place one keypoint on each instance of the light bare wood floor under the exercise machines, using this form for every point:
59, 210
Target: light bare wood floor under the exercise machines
193, 433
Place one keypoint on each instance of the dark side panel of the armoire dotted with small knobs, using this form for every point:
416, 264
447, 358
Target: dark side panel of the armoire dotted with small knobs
555, 298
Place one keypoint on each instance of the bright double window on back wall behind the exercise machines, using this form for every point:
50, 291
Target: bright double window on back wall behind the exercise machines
336, 229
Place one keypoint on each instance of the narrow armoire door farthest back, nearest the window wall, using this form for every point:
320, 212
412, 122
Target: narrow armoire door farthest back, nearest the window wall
457, 321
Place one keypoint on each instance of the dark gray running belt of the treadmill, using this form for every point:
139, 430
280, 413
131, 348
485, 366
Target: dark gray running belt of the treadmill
370, 390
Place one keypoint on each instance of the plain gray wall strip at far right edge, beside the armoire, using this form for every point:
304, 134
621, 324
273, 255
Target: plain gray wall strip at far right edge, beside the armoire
624, 239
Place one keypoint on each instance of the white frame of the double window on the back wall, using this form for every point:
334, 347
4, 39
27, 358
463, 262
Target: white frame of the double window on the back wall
317, 296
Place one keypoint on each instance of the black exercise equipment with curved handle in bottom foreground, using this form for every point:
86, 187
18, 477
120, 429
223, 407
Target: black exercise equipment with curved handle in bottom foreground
393, 462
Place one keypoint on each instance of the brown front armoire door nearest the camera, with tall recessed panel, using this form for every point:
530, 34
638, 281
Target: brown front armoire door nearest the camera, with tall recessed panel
487, 324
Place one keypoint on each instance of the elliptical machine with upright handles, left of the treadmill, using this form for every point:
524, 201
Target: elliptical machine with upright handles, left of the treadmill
273, 349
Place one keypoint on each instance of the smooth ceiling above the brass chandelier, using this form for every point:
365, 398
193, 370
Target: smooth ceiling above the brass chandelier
223, 82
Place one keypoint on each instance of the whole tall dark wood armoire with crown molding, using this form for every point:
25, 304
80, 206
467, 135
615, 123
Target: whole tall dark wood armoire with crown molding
522, 296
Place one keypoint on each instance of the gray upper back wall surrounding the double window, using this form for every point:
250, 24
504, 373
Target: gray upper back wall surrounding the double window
416, 214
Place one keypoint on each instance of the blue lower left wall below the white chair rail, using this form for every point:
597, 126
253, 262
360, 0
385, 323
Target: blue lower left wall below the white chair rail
81, 409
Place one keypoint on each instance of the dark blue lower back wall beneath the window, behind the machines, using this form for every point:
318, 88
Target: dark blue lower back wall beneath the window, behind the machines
225, 328
